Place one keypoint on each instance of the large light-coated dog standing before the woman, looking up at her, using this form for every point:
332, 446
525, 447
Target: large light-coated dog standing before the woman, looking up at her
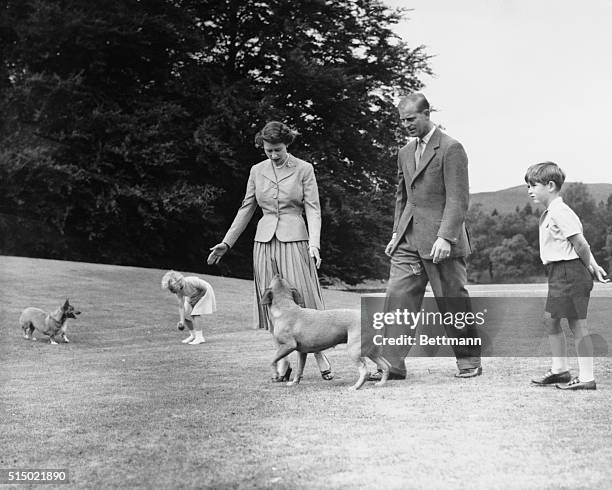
307, 330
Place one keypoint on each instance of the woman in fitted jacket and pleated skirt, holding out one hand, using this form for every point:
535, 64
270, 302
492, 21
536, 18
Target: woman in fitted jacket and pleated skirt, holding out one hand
285, 188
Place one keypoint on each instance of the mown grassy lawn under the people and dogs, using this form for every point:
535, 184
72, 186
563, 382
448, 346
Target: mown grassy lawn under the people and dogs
125, 404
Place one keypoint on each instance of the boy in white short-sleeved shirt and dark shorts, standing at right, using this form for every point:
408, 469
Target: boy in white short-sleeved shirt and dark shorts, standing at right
570, 265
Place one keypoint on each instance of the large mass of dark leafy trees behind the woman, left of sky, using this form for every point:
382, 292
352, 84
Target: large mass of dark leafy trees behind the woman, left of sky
129, 124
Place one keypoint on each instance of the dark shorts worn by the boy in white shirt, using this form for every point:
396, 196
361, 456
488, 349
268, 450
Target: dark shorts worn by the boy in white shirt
569, 289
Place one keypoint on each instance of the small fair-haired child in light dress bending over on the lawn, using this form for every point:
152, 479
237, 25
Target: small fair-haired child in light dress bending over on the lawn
196, 298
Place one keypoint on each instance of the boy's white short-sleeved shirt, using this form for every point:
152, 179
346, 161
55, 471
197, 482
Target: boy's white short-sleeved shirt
557, 224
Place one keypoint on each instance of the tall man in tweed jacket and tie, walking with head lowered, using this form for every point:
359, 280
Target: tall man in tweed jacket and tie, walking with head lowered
429, 242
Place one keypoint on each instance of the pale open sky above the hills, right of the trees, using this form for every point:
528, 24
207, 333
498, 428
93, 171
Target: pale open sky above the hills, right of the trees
518, 82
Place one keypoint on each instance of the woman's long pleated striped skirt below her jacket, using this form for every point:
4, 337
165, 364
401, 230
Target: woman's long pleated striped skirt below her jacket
294, 264
